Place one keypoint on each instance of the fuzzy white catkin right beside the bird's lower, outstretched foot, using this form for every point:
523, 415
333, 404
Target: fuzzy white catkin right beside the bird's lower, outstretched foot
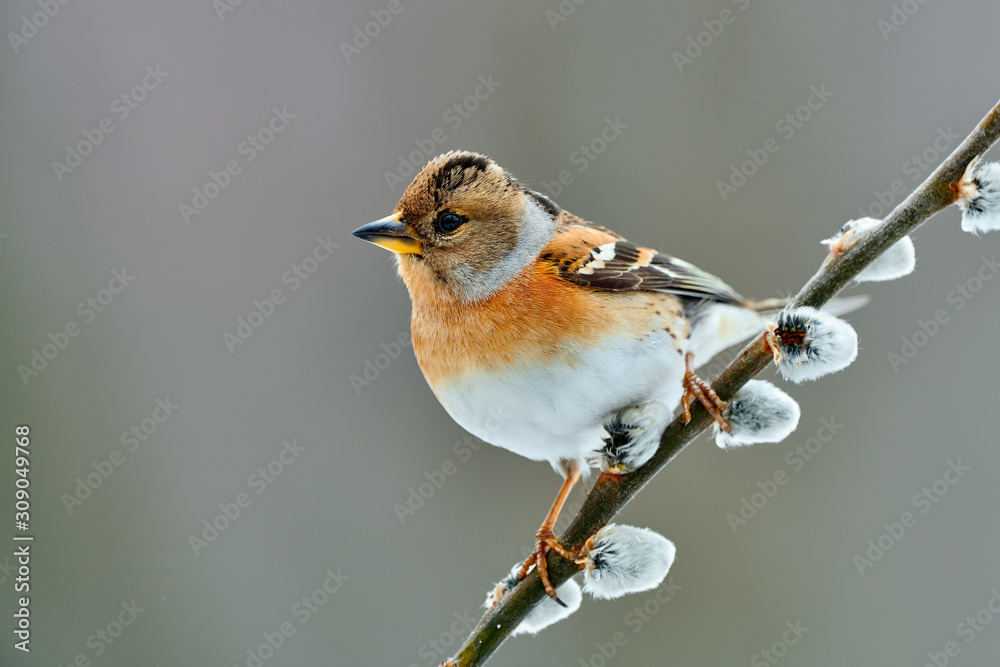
626, 559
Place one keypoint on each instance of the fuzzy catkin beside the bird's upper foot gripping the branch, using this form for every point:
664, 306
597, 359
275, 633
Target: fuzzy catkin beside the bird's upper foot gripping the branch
759, 412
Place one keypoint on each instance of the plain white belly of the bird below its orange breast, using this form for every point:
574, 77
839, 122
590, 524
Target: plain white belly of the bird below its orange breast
549, 412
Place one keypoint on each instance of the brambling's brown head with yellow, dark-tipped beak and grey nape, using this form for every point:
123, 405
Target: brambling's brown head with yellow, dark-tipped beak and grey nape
467, 223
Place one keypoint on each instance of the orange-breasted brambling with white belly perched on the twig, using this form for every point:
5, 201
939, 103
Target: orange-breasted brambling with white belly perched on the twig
524, 310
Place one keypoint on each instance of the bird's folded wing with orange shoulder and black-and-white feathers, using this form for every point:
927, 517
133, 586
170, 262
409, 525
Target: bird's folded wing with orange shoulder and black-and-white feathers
596, 257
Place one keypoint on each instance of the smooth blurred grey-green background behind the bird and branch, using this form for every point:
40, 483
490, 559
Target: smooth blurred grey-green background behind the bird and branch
202, 82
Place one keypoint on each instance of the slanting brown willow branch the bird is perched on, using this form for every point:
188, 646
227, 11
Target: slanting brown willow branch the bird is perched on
611, 493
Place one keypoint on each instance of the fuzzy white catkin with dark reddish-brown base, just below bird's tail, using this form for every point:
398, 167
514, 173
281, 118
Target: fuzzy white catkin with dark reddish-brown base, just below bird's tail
830, 345
